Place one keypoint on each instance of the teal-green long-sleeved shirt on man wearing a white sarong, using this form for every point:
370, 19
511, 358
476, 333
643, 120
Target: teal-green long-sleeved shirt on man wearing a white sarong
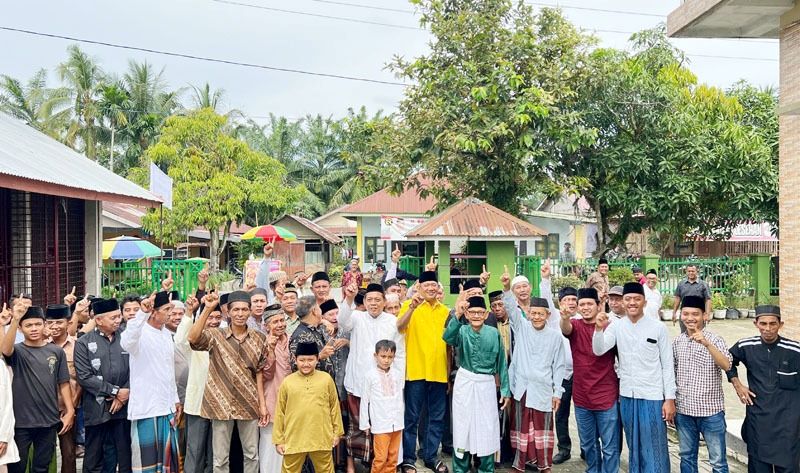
480, 352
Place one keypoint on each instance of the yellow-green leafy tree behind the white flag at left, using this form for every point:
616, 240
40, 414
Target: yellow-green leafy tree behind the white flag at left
216, 178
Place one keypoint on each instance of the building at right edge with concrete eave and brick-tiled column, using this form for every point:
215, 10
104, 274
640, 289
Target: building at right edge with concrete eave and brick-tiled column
764, 20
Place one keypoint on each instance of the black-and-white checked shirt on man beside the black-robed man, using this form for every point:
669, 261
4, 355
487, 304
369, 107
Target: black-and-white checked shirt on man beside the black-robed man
697, 377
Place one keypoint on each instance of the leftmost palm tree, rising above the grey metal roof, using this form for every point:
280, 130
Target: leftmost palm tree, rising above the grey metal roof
46, 109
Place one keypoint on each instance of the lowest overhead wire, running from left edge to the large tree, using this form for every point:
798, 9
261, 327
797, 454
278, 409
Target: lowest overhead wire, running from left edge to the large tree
200, 58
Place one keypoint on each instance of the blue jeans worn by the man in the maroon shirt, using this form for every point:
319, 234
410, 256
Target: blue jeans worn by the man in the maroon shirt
599, 436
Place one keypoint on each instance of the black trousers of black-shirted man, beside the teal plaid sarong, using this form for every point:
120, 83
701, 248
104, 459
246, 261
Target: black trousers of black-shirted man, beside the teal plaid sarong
119, 433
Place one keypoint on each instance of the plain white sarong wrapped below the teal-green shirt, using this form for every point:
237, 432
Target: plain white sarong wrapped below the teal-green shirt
476, 423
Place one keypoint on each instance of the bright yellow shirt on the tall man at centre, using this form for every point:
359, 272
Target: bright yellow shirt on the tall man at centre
426, 352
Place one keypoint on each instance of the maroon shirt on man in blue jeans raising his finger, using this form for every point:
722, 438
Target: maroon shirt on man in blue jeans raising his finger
595, 385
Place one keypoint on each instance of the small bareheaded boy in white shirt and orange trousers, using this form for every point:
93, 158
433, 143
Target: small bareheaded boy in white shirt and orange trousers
382, 408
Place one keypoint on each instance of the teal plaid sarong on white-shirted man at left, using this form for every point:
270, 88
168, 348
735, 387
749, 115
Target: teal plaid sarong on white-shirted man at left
154, 445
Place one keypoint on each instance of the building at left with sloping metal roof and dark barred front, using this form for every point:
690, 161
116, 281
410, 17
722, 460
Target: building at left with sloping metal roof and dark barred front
51, 213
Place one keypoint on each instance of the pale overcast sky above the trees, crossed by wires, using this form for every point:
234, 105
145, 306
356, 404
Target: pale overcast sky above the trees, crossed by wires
289, 40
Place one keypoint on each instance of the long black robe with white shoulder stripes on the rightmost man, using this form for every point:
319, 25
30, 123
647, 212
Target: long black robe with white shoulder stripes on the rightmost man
771, 426
